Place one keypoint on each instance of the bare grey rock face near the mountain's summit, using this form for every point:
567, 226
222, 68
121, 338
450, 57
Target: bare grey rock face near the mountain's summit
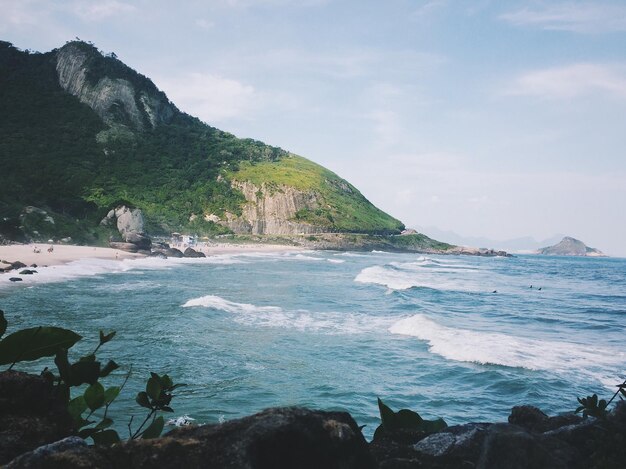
115, 100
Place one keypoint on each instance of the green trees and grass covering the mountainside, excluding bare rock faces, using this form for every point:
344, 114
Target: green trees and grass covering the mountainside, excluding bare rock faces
56, 153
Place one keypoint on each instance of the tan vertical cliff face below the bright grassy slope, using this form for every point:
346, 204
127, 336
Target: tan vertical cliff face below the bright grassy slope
272, 210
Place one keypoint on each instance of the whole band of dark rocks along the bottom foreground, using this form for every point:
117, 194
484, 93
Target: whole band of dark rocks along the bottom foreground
36, 432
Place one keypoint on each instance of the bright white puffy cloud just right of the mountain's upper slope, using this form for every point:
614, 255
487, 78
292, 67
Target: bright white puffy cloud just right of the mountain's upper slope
210, 97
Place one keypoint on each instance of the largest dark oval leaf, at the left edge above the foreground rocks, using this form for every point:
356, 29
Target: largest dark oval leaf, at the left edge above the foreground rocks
34, 343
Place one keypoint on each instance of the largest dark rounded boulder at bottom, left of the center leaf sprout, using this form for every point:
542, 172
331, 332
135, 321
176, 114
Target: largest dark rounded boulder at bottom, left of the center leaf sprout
282, 438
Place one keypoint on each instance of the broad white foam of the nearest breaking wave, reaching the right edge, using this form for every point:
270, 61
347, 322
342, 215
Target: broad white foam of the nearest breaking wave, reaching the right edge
503, 349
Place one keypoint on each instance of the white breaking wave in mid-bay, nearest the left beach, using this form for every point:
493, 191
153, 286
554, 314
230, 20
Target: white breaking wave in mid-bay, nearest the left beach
274, 316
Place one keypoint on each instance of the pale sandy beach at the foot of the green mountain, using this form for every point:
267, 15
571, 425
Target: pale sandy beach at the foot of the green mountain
62, 254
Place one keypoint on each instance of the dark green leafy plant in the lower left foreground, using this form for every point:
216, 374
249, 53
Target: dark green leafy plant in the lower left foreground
89, 410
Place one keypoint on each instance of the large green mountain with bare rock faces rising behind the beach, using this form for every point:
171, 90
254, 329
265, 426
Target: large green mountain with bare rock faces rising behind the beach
81, 134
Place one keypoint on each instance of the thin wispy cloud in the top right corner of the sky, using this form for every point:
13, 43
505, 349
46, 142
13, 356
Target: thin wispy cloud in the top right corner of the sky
587, 17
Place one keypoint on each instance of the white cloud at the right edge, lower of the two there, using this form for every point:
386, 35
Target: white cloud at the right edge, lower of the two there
572, 81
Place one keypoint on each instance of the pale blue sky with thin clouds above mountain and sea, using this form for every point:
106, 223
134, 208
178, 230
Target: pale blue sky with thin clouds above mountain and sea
496, 119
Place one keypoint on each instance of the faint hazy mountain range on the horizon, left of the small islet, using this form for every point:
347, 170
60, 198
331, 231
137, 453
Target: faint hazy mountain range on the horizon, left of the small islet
523, 244
